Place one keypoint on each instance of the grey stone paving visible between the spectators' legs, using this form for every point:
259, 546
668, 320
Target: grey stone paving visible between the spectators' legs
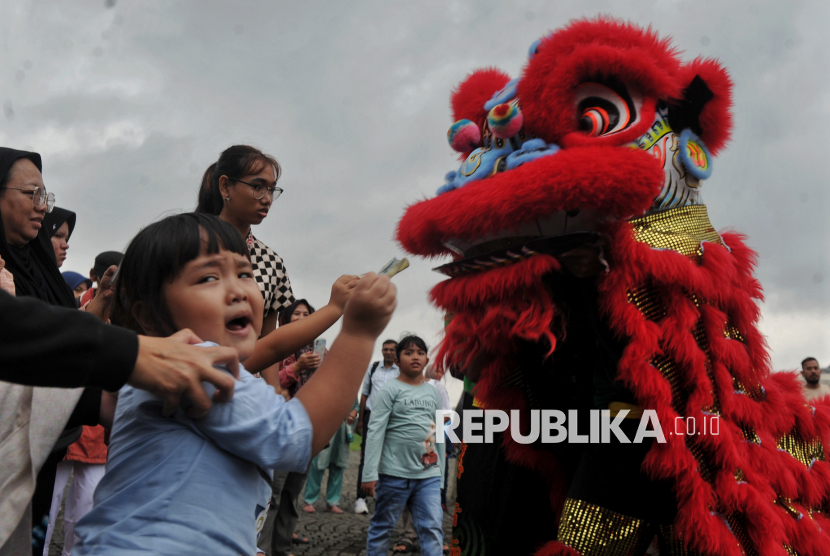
328, 534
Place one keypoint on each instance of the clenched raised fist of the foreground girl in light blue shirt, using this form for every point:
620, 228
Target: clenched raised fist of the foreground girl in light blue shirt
370, 306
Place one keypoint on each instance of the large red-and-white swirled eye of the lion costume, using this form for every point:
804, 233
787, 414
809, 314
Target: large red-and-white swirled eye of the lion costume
602, 110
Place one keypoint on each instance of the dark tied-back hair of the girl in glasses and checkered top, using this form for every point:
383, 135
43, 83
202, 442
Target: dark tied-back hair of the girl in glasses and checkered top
234, 162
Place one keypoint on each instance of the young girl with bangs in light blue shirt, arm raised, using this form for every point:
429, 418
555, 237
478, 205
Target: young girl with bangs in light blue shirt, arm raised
190, 486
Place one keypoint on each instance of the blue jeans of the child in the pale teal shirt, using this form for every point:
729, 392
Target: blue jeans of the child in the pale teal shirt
424, 499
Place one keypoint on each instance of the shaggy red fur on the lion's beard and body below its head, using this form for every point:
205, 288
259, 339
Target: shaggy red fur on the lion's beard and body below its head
510, 302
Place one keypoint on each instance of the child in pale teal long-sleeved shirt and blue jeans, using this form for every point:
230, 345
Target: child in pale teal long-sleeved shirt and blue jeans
404, 466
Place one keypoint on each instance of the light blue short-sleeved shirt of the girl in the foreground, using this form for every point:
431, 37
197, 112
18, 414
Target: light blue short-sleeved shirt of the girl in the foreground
176, 485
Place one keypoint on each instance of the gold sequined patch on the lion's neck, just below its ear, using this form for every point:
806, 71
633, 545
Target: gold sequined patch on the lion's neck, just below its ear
681, 229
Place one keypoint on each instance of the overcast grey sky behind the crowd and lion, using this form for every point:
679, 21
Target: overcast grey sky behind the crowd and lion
129, 102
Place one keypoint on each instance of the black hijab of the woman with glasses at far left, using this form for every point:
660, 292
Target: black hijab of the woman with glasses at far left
34, 266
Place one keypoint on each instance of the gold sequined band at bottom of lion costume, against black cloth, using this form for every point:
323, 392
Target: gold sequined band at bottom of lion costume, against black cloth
597, 531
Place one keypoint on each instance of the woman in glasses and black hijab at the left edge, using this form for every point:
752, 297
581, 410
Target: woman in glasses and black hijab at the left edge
24, 243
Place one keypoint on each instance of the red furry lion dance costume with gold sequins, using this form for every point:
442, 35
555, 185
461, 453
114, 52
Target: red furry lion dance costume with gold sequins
607, 134
